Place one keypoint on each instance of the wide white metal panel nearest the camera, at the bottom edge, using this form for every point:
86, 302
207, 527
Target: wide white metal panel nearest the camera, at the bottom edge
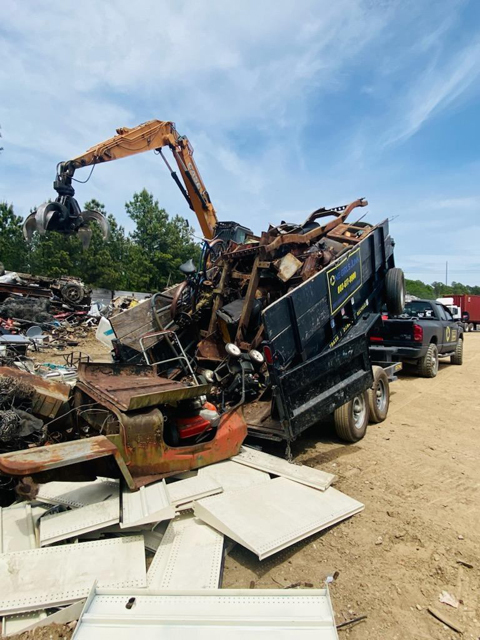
275, 614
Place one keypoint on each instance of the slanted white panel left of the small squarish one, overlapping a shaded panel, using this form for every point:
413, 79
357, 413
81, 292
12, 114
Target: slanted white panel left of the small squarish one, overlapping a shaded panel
68, 524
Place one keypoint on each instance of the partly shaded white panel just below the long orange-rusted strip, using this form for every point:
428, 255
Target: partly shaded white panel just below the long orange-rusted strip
77, 494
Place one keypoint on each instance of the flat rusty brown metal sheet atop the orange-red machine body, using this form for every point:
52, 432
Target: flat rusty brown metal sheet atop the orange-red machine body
132, 387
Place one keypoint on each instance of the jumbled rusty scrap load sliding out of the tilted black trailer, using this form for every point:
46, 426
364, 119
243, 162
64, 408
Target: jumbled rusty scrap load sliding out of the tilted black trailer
217, 311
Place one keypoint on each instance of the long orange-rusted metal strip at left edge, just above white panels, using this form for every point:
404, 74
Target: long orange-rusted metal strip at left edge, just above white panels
53, 456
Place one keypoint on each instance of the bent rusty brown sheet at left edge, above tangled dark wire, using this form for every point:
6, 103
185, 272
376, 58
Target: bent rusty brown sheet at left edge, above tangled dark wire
49, 396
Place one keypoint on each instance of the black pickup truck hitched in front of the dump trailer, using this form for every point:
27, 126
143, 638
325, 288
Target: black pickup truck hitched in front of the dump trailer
425, 332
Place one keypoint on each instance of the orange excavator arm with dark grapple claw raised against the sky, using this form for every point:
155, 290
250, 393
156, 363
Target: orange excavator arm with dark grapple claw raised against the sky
65, 216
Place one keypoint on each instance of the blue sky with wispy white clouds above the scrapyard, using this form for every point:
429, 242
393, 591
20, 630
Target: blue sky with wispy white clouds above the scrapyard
289, 106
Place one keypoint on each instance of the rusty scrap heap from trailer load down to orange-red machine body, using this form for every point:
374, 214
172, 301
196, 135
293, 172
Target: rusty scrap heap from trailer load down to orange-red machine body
188, 374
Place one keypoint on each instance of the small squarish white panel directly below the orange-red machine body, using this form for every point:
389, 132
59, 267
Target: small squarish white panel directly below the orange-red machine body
148, 504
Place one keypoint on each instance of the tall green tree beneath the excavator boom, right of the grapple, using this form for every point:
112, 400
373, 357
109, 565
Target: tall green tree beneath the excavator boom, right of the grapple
159, 244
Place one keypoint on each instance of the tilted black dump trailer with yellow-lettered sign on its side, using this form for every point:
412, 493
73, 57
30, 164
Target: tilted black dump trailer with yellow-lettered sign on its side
317, 345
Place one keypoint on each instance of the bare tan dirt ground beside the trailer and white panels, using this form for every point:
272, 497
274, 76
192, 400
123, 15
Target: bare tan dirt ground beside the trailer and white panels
418, 476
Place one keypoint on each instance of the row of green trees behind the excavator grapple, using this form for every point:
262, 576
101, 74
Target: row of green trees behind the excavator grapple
146, 259
